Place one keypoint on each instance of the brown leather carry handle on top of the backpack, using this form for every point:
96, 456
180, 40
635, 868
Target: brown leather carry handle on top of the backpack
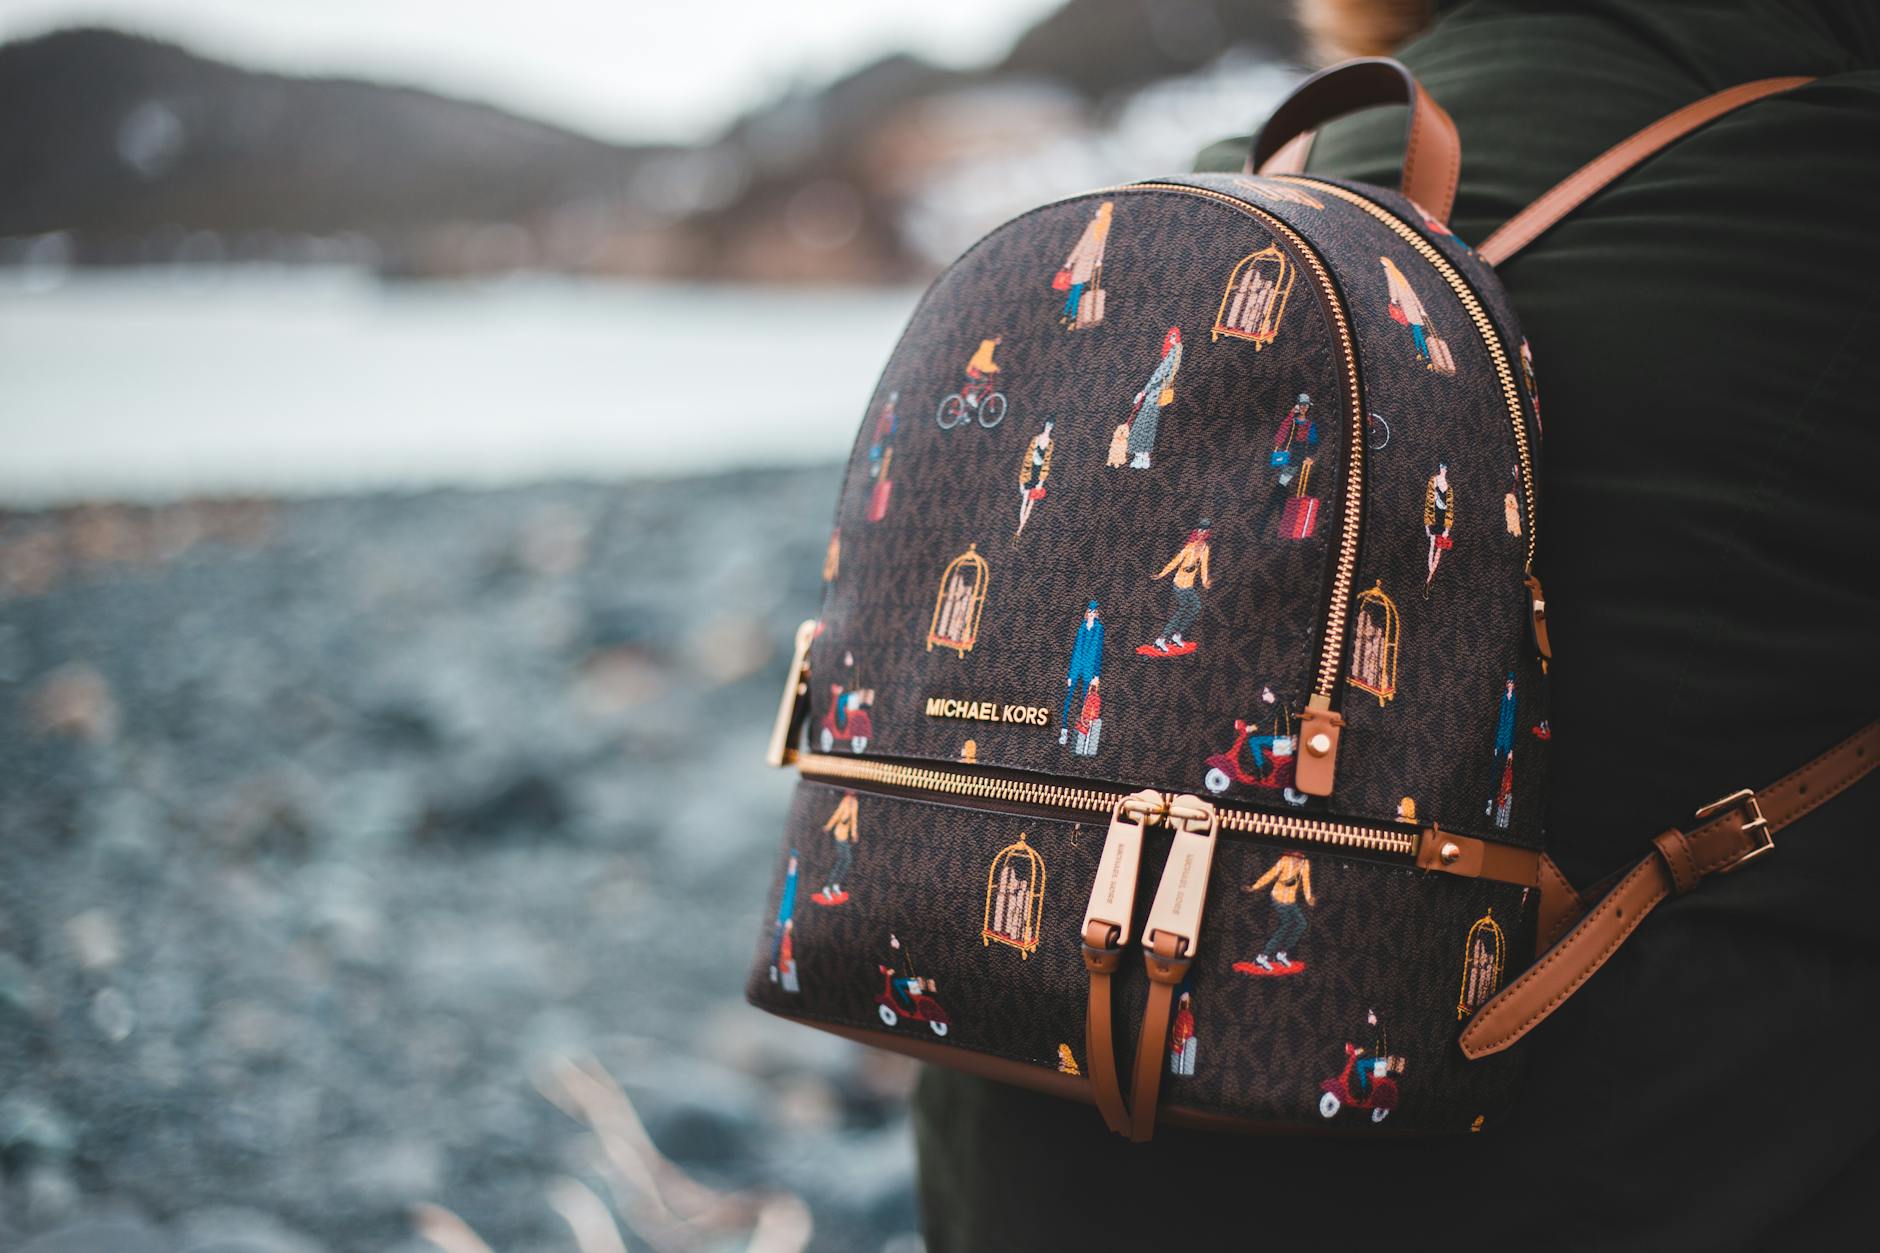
1433, 153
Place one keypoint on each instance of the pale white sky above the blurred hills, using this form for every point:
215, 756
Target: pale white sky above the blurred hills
625, 71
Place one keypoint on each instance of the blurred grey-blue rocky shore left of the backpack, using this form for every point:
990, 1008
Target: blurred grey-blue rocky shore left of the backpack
383, 872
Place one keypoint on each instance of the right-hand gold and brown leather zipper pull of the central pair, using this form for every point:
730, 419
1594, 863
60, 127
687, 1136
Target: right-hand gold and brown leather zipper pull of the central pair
1170, 942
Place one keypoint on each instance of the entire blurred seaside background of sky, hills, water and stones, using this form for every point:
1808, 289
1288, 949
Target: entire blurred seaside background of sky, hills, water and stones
420, 424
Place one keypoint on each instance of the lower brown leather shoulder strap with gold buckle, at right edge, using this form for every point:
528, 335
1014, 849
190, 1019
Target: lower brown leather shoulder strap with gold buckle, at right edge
1732, 833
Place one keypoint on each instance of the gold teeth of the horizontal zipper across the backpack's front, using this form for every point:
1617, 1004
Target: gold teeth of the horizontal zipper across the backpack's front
1095, 802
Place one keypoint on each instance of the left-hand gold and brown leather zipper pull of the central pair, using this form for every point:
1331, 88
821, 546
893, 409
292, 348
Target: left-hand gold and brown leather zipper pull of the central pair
1106, 930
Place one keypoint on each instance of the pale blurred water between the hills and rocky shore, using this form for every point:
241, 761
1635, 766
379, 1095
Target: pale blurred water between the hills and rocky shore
161, 385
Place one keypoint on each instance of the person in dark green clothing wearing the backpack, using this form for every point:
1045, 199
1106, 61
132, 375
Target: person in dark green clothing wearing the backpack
1702, 332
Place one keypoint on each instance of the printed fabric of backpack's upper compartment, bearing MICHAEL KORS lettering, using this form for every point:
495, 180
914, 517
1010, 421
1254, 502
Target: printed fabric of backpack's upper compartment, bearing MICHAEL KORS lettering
1108, 541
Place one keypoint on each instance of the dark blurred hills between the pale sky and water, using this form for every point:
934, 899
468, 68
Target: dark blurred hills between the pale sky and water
123, 150
